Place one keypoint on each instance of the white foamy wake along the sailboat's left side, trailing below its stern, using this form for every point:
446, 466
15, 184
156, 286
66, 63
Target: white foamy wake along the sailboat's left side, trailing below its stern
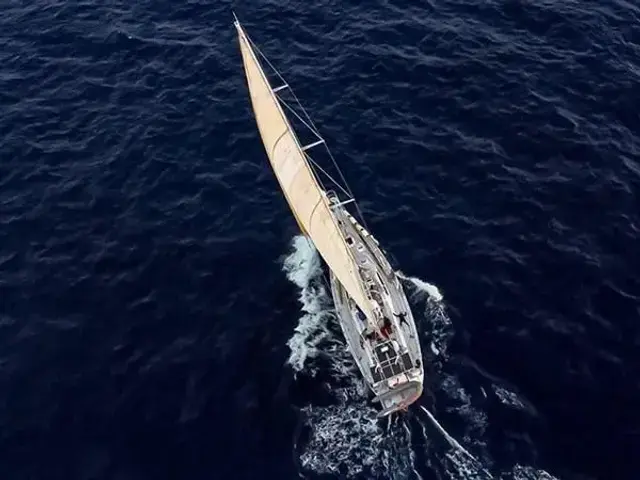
345, 437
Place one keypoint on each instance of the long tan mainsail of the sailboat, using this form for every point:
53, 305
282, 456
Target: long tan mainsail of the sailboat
301, 189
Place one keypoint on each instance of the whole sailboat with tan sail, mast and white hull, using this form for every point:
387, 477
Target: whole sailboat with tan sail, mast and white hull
370, 303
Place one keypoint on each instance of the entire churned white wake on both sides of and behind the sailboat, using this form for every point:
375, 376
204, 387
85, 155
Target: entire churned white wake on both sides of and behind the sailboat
345, 437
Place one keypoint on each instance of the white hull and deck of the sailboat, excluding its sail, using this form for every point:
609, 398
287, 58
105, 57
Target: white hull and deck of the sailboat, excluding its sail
391, 365
